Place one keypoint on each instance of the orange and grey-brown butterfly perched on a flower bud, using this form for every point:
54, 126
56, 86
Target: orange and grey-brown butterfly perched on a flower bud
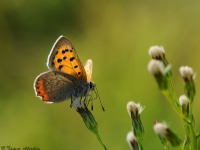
67, 78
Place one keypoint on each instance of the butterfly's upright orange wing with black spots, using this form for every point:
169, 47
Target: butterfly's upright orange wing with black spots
63, 57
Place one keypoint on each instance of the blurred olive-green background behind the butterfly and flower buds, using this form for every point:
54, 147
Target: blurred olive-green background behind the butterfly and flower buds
116, 36
